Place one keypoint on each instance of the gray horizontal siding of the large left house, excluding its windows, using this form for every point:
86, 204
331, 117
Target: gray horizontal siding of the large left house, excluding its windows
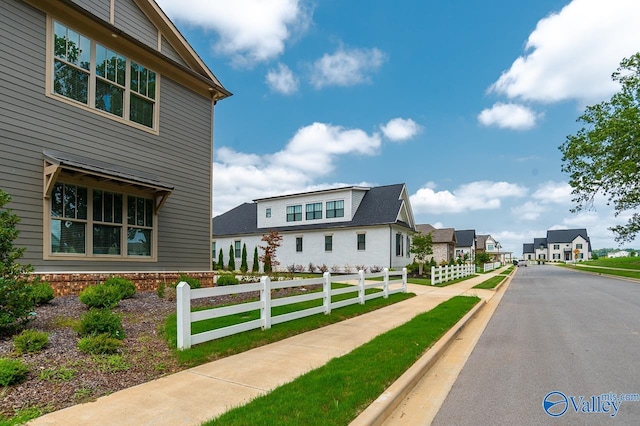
30, 122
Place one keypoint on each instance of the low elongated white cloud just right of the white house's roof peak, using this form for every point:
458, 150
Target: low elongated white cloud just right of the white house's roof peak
481, 195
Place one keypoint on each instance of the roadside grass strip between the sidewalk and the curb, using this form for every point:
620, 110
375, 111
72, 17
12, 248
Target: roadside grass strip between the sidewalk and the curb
337, 392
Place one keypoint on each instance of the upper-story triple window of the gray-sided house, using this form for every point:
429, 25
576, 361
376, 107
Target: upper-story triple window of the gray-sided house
102, 79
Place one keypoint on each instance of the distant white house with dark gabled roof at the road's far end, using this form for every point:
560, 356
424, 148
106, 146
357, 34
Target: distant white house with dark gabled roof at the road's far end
560, 245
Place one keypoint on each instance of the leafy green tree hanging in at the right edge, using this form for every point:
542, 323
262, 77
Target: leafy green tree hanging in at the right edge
604, 155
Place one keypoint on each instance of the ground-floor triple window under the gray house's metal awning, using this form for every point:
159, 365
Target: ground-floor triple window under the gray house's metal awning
90, 222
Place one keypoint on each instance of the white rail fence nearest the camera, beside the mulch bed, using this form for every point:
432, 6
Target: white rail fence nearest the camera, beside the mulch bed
185, 295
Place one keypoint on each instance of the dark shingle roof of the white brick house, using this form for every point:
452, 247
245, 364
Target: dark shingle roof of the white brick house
380, 206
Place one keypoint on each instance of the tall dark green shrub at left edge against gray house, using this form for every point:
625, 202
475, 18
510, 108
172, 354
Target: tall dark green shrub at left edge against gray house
16, 302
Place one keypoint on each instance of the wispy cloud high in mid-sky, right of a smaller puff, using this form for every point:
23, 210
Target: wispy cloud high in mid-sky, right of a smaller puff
346, 67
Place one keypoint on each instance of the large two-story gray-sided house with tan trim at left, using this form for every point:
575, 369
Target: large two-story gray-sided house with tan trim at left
106, 134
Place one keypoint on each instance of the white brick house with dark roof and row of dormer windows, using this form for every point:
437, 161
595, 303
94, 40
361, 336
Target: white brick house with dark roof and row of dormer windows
340, 228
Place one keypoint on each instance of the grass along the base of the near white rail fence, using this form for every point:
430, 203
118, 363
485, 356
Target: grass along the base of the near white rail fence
230, 345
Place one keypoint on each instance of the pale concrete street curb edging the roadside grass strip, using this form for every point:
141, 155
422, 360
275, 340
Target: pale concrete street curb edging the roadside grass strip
385, 404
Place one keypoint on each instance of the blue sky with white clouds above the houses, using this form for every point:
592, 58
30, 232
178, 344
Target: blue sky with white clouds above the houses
464, 102
